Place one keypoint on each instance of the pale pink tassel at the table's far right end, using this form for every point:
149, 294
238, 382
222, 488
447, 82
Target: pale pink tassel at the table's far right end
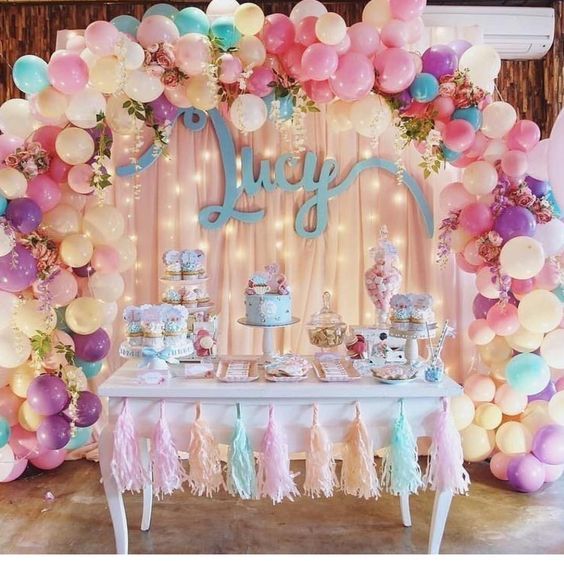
445, 469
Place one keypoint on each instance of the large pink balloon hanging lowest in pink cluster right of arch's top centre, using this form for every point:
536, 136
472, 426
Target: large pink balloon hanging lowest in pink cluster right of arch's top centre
354, 77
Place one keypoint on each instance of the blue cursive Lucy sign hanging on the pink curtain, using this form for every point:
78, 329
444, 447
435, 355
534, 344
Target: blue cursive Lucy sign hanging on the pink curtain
323, 184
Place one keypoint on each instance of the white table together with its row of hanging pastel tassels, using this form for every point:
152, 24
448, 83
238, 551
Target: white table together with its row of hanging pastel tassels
266, 421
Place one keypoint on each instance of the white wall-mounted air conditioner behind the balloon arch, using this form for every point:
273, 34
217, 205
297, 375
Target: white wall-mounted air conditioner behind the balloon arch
516, 33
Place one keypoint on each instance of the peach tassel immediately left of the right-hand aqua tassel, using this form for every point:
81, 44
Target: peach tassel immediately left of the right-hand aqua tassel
358, 473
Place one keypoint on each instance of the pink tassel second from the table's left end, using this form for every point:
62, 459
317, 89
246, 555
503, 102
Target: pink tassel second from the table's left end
168, 473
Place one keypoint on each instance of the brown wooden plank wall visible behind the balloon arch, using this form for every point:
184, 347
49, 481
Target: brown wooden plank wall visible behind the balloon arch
536, 88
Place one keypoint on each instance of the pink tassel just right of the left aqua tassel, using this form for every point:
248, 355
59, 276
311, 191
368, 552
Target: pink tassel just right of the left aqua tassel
275, 479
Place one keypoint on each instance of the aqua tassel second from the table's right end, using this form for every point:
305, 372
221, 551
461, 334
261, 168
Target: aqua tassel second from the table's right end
401, 473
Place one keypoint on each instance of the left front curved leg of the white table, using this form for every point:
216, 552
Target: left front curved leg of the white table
113, 496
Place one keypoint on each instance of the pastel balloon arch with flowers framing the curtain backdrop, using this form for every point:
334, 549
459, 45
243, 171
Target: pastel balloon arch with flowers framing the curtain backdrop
63, 248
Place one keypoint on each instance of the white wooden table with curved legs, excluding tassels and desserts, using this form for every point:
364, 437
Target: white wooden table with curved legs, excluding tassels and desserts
293, 403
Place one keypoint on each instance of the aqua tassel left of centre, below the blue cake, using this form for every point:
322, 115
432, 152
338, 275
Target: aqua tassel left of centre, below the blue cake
241, 476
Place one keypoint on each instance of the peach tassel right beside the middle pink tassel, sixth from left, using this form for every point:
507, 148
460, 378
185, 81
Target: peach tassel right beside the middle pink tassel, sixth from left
320, 478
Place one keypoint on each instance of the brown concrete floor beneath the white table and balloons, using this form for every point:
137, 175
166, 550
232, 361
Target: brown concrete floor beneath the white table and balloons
491, 519
